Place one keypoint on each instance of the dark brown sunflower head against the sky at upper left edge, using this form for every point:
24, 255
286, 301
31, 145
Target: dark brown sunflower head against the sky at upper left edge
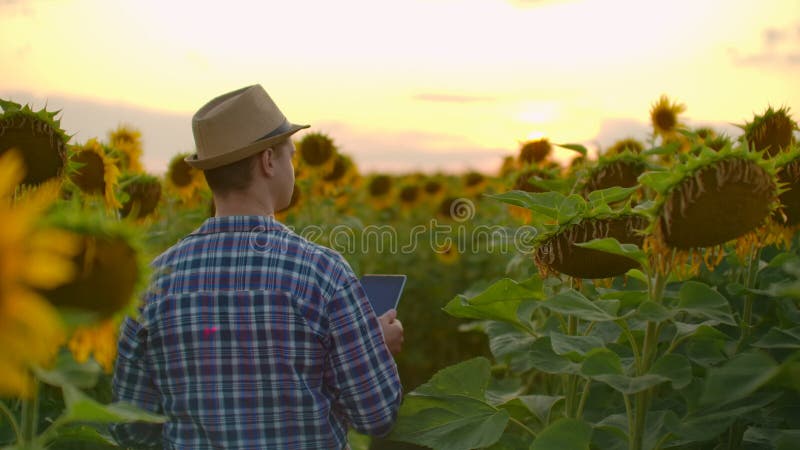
38, 136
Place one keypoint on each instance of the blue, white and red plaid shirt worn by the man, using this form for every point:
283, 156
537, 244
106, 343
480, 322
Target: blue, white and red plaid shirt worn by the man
251, 337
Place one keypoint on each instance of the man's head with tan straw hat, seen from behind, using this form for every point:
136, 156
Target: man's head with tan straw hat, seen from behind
244, 144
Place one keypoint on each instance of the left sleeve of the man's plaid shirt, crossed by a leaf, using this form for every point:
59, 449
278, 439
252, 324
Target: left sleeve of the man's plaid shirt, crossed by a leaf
133, 383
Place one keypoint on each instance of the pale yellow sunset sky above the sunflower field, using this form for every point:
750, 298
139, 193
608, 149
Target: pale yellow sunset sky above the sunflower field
422, 85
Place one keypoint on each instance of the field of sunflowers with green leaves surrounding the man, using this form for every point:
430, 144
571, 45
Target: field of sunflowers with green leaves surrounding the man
646, 298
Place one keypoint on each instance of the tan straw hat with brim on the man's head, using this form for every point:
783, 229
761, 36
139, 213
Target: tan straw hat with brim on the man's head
236, 125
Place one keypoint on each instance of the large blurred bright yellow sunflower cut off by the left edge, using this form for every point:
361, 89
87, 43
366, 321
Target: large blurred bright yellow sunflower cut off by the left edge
32, 257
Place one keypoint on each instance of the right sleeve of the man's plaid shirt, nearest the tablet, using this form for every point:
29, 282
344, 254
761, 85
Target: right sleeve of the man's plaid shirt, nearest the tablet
361, 371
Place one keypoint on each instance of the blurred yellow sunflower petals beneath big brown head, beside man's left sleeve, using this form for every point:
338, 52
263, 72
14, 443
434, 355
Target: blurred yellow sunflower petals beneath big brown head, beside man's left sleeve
98, 341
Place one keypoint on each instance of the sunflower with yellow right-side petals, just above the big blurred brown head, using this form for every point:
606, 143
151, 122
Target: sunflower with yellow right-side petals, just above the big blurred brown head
98, 173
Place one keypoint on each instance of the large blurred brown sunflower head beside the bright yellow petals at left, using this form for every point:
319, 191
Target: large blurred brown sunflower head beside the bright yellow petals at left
110, 262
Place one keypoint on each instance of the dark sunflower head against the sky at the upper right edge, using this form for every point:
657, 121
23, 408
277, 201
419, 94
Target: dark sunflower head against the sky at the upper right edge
772, 131
